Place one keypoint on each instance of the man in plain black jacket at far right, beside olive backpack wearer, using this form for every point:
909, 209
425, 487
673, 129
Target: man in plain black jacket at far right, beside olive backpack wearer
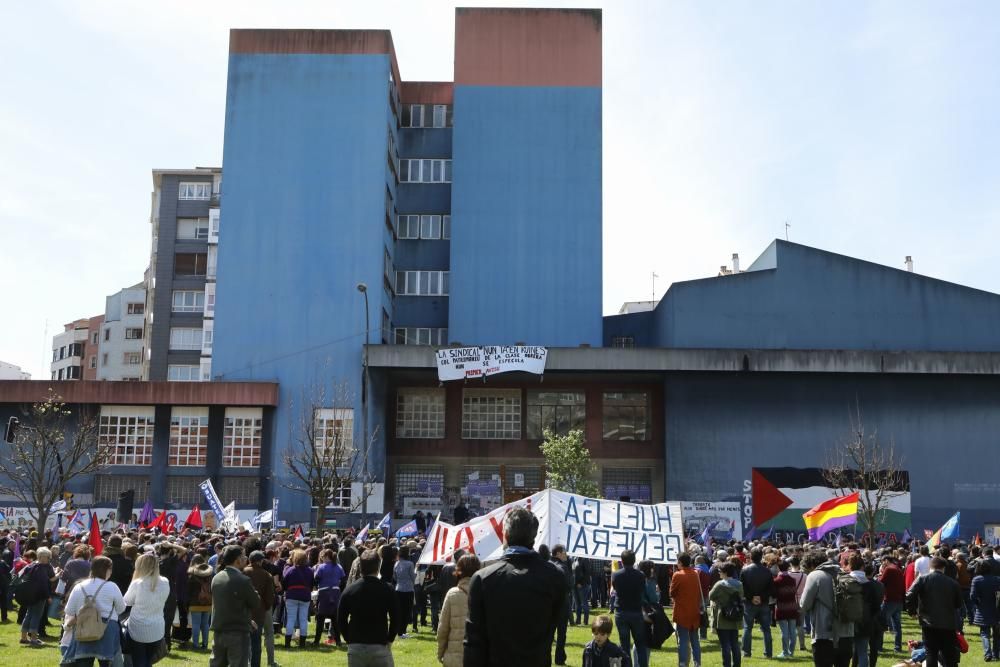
935, 598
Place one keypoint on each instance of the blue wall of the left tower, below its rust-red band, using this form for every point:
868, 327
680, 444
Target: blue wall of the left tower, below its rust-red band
303, 221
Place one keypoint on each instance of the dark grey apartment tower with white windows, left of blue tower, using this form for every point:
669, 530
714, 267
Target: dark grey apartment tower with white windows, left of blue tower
180, 280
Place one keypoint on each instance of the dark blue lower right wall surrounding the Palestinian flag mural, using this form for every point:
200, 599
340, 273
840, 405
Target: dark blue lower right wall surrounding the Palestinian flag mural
945, 428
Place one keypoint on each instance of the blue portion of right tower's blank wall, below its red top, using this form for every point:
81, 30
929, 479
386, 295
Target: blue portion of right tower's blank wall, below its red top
526, 211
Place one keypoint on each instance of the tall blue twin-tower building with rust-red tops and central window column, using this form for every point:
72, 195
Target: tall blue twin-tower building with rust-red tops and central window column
342, 197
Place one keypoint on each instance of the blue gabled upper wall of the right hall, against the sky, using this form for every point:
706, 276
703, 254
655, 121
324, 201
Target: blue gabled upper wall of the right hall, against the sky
821, 300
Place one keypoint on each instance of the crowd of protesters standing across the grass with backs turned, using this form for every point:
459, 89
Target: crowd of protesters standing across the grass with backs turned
132, 594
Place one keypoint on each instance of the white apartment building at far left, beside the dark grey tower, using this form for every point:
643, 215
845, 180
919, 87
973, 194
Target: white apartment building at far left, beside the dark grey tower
120, 352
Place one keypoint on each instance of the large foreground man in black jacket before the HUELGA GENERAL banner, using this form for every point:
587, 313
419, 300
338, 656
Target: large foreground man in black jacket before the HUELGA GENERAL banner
515, 603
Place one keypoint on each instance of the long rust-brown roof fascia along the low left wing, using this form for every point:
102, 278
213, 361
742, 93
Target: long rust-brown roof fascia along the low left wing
142, 393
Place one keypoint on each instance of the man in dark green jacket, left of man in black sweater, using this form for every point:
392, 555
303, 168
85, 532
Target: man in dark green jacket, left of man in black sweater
234, 601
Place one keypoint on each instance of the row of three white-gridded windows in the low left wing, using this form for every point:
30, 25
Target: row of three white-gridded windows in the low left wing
128, 431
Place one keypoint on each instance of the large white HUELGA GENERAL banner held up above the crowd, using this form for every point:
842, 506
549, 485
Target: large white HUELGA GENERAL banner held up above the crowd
588, 527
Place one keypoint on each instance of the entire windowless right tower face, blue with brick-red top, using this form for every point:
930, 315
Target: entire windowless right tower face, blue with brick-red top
526, 197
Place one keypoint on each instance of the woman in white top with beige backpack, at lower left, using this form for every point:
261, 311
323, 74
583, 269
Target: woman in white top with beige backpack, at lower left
91, 622
